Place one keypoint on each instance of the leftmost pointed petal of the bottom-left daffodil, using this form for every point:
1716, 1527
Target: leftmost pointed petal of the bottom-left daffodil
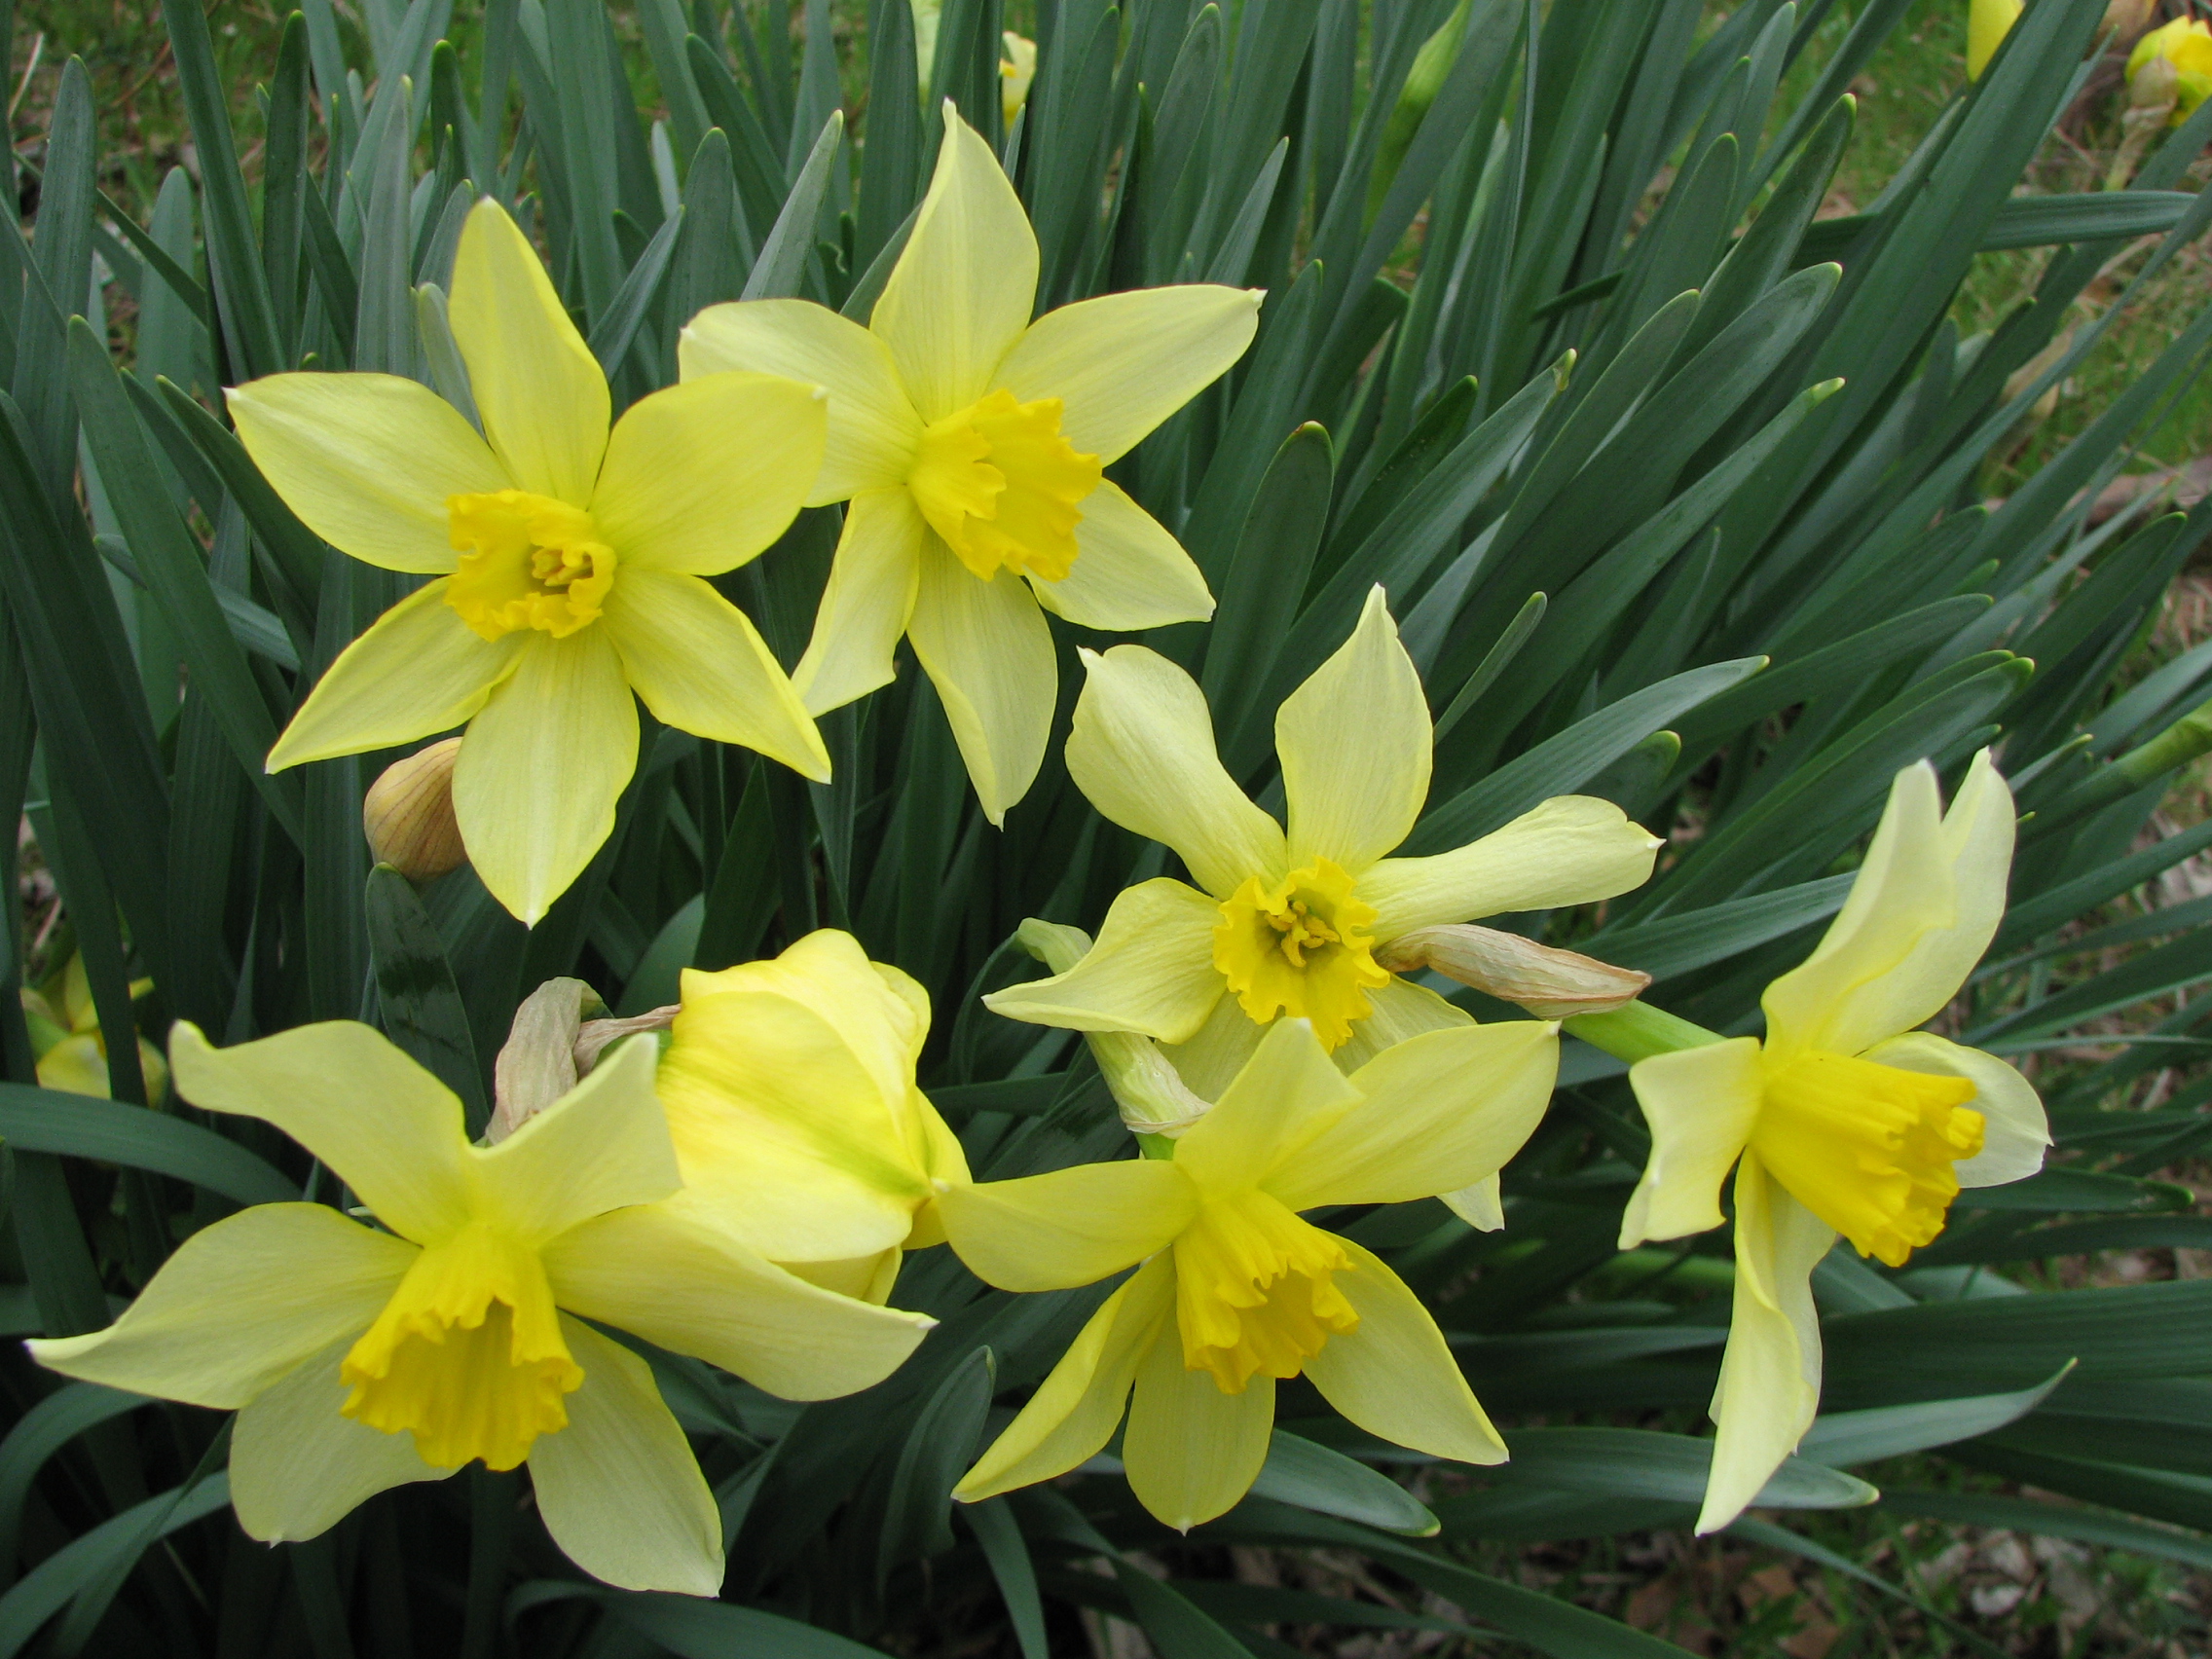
240, 1306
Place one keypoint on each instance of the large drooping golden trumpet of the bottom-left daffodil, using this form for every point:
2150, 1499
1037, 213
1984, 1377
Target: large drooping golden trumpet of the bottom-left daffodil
468, 1355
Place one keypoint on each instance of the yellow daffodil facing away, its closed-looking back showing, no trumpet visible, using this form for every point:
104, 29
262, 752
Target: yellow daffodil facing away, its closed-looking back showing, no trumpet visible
797, 1125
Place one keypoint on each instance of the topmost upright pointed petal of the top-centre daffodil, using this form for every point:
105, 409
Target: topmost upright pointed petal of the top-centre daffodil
966, 284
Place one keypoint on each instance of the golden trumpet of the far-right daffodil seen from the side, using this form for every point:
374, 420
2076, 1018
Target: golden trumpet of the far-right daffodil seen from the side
1868, 1149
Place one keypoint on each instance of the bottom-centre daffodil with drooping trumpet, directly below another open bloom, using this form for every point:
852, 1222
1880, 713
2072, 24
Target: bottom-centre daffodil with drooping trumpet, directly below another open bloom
1238, 1291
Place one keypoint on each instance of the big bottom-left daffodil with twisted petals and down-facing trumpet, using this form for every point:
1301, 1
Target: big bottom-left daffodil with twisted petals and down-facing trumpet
362, 1359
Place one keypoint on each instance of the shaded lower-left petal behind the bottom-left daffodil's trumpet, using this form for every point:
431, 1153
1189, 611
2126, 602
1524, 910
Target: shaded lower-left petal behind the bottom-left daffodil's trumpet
300, 1468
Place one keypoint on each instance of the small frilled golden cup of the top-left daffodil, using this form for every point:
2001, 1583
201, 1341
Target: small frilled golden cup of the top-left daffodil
525, 563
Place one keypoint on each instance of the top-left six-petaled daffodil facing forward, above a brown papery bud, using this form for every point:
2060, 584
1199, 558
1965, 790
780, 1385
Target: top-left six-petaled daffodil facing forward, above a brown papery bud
567, 565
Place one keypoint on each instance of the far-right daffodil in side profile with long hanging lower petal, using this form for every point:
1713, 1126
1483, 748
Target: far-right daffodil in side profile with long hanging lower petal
1846, 1120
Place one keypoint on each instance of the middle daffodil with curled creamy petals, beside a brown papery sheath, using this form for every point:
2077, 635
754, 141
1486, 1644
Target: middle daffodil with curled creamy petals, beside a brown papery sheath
1288, 924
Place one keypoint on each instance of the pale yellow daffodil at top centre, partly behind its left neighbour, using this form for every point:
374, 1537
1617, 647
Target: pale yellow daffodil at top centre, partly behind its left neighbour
972, 446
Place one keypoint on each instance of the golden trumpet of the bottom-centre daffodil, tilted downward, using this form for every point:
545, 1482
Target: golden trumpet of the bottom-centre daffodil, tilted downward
1255, 1291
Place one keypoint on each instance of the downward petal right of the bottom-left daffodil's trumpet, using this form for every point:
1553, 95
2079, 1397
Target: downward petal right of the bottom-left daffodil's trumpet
618, 1488
